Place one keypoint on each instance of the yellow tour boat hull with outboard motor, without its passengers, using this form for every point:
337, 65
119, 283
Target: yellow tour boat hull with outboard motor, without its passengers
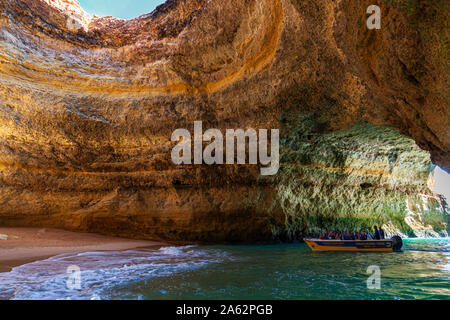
394, 244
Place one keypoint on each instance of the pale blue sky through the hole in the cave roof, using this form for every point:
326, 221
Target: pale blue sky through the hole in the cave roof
125, 9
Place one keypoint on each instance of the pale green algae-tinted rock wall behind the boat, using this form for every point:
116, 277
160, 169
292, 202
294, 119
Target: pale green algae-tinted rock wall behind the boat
354, 179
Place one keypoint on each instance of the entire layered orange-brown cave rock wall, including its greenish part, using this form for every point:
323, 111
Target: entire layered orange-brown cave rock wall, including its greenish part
88, 106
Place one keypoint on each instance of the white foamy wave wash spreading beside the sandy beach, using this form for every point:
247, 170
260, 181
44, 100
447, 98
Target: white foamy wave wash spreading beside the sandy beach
101, 272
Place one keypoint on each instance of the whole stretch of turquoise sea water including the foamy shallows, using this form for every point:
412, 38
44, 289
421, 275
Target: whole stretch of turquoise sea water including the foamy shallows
421, 271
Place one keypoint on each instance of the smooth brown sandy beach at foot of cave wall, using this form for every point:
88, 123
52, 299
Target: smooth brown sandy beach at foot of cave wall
26, 245
